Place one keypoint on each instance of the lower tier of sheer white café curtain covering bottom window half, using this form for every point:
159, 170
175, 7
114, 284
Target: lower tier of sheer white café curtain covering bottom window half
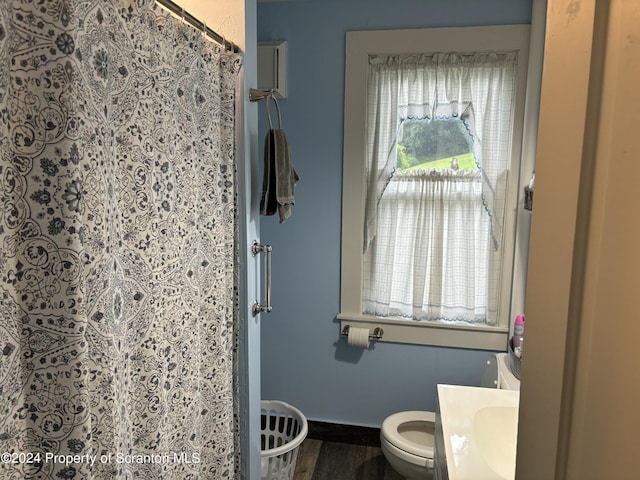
431, 241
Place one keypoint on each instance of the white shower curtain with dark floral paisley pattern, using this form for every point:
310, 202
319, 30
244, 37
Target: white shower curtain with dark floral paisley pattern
117, 231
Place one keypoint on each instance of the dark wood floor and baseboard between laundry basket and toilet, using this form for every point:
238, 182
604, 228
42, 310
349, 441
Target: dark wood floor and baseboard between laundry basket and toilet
340, 455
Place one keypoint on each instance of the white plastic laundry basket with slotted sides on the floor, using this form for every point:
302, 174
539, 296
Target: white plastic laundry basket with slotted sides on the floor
283, 428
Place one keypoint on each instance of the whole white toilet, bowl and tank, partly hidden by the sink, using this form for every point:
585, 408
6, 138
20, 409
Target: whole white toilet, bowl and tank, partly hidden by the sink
406, 438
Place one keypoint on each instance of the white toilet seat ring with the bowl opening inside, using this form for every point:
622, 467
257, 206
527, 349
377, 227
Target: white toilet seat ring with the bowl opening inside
411, 431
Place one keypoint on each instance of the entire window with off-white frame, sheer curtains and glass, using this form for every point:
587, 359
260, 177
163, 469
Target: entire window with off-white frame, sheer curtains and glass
431, 169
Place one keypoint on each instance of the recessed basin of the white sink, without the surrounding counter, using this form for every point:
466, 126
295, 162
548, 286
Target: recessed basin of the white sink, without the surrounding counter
496, 433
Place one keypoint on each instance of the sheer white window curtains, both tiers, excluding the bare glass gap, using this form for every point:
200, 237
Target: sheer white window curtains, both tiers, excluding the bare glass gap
432, 240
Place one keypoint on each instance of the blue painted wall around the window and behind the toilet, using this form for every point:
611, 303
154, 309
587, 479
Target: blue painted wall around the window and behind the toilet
304, 359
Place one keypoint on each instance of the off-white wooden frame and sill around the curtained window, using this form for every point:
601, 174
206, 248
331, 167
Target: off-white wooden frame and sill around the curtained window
359, 46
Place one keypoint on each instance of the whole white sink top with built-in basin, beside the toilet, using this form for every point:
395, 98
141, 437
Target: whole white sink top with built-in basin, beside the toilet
479, 428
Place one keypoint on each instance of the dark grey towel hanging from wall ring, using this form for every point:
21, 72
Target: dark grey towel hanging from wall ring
280, 177
